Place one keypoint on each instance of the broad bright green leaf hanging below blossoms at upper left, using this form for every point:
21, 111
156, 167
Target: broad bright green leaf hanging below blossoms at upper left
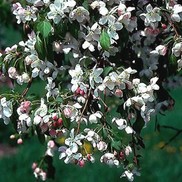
44, 27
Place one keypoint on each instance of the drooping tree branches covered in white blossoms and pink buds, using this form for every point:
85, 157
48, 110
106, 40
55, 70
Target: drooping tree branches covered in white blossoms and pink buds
101, 66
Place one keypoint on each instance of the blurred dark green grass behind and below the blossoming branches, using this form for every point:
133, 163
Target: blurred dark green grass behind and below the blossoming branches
159, 165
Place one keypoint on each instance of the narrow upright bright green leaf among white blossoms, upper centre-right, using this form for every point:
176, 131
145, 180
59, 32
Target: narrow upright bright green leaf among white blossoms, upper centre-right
105, 40
